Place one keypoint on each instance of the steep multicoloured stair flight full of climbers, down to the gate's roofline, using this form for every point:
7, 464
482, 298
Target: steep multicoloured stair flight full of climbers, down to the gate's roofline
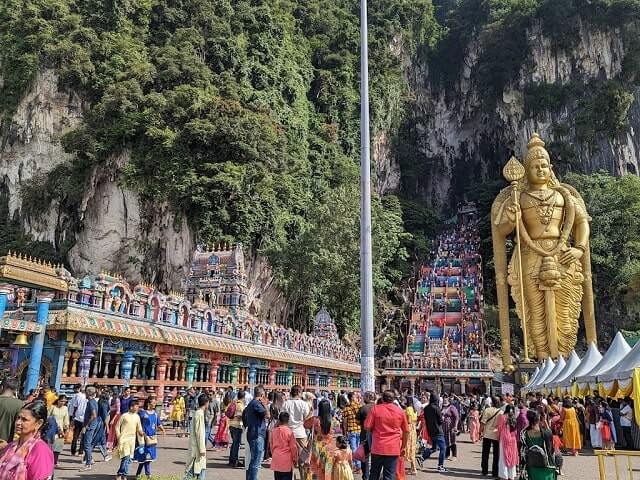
445, 330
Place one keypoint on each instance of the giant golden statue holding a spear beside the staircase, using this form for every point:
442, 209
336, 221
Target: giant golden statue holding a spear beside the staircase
550, 269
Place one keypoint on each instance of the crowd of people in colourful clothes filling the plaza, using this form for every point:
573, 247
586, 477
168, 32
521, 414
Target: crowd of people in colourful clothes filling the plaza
329, 437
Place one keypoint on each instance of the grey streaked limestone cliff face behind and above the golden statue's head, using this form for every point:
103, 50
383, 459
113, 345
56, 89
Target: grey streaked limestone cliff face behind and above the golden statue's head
460, 141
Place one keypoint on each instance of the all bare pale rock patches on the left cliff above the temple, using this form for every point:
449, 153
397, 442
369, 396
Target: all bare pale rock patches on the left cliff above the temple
112, 229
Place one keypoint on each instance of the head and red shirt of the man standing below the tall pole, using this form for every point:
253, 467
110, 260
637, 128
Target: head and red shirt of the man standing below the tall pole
388, 426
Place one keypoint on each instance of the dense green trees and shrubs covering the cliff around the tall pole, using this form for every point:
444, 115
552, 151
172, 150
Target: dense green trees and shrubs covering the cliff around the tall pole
243, 114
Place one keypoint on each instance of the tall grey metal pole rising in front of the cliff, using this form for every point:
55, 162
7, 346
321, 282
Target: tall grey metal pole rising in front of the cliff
367, 379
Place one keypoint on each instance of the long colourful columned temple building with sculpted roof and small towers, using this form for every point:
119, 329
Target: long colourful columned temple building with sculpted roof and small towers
104, 330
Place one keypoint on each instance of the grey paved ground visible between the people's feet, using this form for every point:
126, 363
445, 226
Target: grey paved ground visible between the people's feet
173, 453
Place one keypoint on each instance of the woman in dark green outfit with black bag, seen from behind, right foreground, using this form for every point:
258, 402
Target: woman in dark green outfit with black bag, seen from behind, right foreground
537, 450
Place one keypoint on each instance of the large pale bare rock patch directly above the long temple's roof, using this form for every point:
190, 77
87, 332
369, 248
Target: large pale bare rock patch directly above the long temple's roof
121, 234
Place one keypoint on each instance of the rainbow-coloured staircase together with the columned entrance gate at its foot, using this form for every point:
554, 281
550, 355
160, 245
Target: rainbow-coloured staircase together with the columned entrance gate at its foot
444, 348
